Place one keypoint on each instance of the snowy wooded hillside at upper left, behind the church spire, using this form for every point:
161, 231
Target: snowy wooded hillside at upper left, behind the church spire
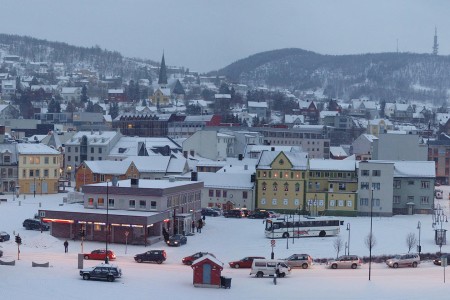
38, 50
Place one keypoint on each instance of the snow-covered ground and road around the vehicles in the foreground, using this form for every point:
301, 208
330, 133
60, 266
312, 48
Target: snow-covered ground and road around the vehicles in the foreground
228, 239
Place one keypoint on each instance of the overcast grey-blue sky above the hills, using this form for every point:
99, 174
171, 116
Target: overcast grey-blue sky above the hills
206, 35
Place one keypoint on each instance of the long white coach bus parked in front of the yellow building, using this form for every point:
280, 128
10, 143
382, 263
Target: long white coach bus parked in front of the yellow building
308, 227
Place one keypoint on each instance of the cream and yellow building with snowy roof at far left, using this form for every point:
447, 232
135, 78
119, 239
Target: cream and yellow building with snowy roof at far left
39, 169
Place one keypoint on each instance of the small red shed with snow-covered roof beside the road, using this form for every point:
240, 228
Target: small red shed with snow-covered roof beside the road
207, 271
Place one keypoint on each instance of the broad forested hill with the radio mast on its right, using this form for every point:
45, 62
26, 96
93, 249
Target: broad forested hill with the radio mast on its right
383, 76
